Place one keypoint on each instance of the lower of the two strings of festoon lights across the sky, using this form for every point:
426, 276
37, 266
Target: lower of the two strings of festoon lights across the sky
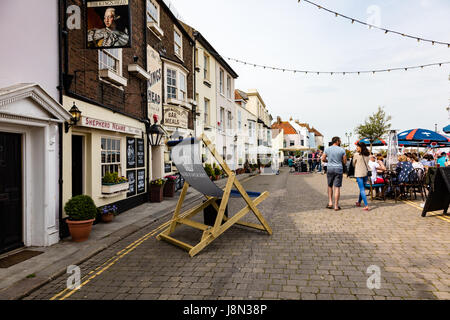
335, 72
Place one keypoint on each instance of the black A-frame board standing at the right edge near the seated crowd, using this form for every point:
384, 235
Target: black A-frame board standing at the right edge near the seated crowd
439, 197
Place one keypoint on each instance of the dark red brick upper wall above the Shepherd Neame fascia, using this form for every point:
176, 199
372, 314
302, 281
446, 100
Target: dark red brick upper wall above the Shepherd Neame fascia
83, 64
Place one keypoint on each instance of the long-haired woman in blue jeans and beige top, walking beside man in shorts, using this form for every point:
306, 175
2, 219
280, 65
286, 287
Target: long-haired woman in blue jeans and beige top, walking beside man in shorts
360, 162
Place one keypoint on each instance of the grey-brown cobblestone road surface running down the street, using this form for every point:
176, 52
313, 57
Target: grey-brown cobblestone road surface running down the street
314, 253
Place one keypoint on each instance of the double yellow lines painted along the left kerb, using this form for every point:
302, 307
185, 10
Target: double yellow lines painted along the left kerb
119, 255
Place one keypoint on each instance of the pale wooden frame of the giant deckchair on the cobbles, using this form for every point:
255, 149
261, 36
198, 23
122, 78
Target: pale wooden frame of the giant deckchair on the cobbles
210, 233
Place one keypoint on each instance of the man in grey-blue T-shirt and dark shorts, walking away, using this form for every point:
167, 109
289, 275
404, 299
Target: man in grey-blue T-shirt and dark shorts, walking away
336, 159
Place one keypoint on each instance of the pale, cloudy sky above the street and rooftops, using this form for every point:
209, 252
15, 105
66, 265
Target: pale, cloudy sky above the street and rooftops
294, 35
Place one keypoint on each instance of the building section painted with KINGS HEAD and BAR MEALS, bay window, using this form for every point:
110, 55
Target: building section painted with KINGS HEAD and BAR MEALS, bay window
170, 54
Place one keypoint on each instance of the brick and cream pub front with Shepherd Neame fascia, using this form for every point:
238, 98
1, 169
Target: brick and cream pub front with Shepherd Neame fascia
108, 86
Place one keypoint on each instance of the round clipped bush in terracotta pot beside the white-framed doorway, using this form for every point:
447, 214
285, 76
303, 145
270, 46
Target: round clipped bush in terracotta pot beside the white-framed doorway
81, 211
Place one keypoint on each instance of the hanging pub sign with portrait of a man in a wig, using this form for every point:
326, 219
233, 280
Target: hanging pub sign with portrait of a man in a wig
108, 24
